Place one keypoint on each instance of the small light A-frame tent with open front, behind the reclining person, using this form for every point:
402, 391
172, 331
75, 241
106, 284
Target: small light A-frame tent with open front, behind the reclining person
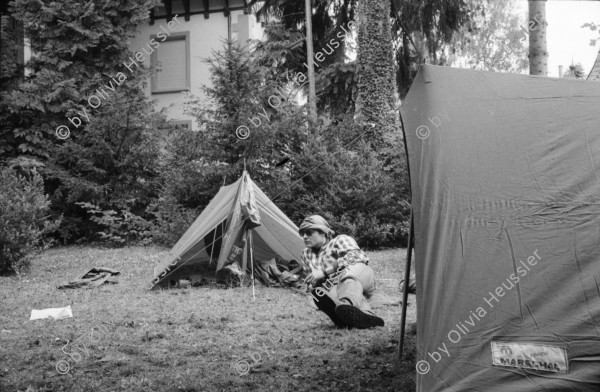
240, 222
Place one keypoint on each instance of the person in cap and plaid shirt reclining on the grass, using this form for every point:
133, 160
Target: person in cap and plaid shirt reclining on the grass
339, 275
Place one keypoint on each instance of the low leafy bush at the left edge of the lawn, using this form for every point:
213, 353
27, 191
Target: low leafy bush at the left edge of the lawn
23, 220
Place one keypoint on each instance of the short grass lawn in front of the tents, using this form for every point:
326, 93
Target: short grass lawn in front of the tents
193, 339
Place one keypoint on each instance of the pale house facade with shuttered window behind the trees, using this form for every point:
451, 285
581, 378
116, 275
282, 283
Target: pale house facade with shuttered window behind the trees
179, 37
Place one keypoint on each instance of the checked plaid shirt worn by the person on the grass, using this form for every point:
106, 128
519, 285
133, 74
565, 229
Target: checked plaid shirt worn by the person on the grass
342, 250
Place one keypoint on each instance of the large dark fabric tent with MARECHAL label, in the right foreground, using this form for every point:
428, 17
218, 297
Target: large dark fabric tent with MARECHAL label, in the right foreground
505, 179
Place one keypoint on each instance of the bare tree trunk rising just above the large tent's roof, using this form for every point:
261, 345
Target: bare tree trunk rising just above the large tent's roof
536, 26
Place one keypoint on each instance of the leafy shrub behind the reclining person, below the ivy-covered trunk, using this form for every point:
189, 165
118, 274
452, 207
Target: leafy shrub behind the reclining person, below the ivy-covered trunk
359, 190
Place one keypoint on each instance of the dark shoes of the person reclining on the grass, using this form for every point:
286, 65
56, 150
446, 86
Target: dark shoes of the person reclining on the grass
346, 315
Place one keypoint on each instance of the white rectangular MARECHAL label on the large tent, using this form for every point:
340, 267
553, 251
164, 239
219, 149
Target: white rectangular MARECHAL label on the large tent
530, 356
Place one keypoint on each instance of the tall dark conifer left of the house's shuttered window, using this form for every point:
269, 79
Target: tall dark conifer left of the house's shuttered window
79, 52
